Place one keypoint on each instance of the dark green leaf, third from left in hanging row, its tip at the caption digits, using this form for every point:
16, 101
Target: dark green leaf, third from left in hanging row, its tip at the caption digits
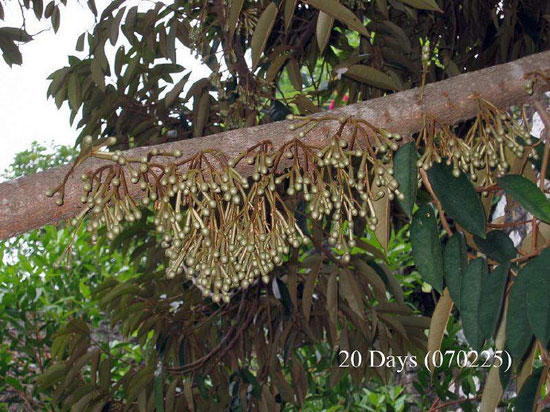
470, 299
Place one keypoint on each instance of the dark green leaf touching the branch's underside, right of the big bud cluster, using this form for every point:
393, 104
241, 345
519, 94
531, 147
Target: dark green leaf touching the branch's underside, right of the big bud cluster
406, 174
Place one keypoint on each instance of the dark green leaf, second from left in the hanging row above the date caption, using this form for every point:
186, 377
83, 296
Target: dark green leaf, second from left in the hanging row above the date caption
455, 262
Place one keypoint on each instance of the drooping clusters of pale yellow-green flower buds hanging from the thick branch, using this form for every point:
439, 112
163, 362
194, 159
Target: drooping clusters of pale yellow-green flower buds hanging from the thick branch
224, 230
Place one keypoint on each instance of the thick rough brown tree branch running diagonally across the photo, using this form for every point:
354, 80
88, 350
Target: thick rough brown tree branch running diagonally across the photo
24, 205
